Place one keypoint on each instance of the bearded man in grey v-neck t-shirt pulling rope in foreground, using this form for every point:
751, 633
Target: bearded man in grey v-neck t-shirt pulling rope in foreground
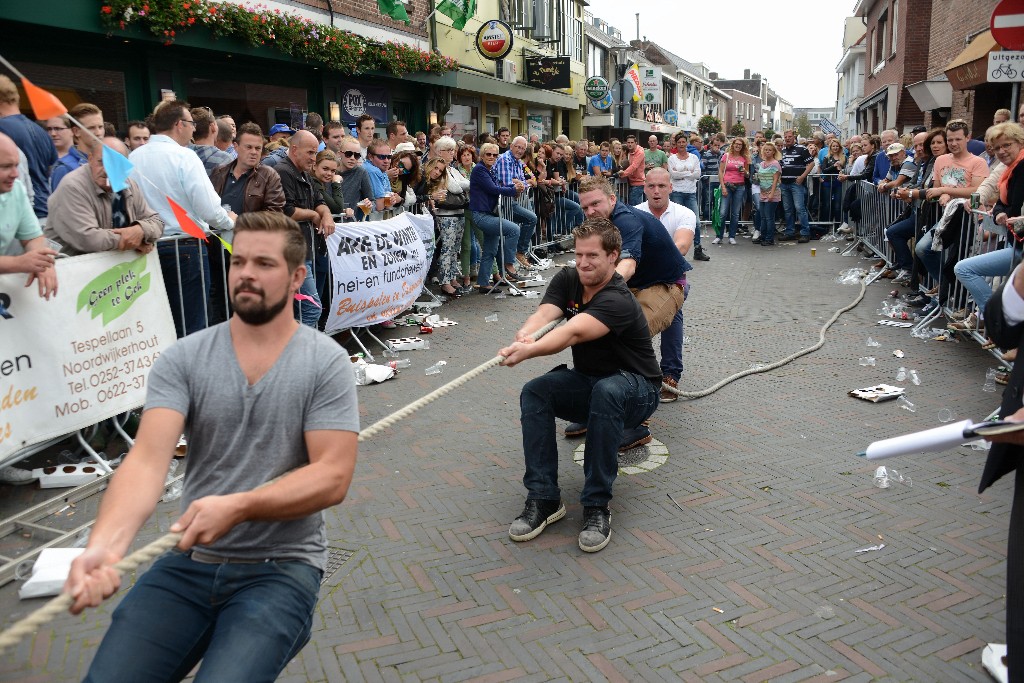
271, 412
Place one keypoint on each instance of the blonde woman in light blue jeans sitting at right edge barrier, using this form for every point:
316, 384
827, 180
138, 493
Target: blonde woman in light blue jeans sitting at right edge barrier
1007, 141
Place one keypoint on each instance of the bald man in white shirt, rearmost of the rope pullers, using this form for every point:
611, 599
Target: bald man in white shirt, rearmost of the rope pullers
681, 224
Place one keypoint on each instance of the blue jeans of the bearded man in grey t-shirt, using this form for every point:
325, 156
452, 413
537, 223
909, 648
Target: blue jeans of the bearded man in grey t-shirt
245, 622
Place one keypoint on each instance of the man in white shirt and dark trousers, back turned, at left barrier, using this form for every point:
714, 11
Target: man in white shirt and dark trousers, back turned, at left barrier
166, 168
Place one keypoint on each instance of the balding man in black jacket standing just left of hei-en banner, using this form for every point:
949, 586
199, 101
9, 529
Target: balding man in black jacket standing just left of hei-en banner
308, 208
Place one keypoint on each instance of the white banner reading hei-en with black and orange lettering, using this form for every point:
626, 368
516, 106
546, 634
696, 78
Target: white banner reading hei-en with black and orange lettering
379, 269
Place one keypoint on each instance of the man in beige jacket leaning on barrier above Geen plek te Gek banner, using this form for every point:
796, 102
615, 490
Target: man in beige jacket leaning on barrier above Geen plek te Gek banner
88, 217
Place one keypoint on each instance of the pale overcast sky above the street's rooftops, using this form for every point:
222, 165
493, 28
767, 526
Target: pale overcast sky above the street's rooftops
797, 49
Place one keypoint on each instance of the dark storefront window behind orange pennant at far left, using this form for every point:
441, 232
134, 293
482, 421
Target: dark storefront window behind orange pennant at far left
73, 86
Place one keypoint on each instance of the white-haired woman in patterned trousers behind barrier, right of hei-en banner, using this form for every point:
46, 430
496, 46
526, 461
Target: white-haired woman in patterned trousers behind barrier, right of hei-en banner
449, 194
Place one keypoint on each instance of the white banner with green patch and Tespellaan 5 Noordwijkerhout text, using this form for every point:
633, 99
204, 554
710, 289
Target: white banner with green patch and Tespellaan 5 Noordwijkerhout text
86, 355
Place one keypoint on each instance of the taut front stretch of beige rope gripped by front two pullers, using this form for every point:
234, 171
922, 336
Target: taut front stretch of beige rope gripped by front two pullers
63, 603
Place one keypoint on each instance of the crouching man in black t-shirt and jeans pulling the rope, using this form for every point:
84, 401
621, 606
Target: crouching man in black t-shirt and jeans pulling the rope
614, 385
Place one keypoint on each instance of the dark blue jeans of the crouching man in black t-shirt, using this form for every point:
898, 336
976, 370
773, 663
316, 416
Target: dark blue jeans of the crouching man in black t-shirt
608, 406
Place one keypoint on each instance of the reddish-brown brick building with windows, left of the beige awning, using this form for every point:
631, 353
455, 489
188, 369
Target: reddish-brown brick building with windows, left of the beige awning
898, 56
